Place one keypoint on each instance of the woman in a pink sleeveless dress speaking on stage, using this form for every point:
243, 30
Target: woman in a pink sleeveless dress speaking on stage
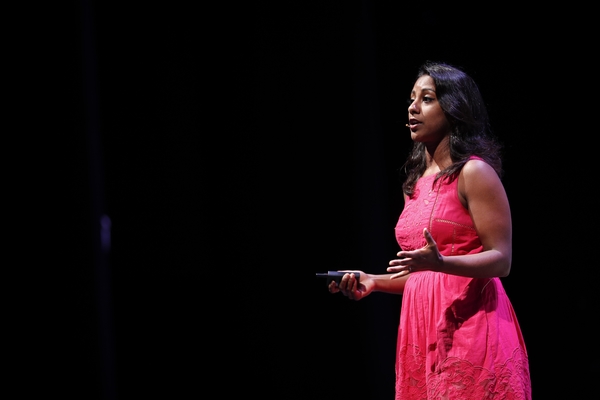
458, 336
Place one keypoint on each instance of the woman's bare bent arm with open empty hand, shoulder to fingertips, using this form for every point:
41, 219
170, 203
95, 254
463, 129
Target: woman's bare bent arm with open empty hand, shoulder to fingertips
482, 191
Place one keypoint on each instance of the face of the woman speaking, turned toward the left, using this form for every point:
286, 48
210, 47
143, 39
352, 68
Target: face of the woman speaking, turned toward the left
426, 119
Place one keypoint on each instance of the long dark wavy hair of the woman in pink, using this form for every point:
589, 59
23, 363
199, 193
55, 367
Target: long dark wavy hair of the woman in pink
471, 134
